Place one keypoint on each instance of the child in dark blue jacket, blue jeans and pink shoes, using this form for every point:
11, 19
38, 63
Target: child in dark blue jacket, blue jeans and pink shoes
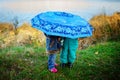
53, 46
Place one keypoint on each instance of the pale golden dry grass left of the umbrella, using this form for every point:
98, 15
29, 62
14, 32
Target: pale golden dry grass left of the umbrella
24, 34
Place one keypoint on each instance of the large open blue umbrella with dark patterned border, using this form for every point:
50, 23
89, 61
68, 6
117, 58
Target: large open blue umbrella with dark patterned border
62, 24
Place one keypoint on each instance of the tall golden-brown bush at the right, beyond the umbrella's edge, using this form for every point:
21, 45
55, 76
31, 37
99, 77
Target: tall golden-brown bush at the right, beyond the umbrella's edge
106, 27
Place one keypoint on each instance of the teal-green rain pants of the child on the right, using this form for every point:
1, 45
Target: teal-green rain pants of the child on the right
68, 52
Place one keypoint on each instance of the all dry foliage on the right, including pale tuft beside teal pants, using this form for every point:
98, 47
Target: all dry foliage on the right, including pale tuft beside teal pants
105, 28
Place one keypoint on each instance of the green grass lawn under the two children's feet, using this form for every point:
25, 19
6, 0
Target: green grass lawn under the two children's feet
98, 62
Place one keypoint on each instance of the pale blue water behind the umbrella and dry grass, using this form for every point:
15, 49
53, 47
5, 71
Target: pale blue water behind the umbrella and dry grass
24, 10
